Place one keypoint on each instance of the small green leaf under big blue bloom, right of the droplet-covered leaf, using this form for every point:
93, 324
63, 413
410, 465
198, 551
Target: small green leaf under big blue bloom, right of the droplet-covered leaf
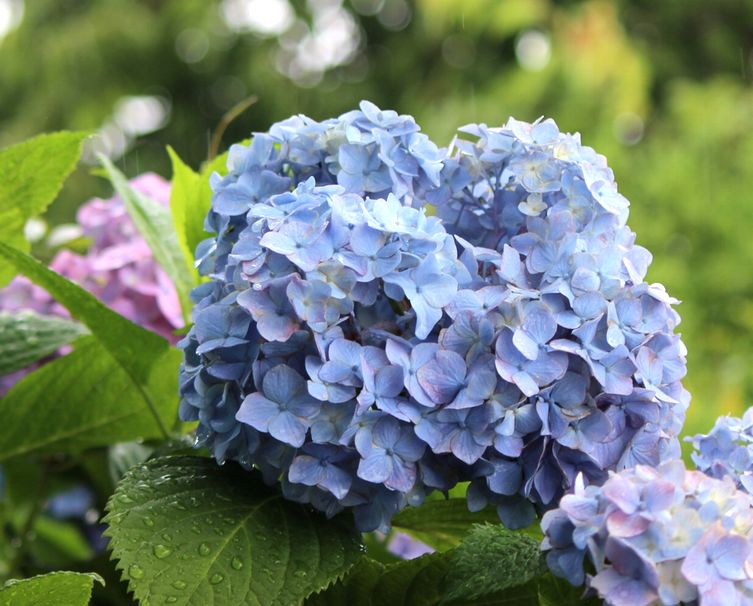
441, 524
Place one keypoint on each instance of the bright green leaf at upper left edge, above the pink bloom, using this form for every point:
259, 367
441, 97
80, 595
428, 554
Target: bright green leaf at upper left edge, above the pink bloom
32, 174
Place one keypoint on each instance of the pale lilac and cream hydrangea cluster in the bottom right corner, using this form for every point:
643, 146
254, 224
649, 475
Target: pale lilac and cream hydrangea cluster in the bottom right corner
656, 536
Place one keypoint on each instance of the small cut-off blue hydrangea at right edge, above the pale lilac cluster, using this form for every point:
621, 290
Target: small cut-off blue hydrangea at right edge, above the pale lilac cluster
727, 450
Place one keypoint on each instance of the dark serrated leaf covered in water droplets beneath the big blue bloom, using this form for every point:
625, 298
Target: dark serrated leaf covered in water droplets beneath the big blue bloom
185, 528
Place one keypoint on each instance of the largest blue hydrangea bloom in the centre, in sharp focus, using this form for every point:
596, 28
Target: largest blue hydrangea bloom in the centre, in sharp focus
364, 352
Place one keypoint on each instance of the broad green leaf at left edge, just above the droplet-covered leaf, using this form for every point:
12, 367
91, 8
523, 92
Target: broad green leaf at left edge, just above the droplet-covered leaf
85, 400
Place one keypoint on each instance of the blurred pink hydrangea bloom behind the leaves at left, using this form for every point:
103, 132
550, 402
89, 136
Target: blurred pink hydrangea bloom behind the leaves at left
118, 269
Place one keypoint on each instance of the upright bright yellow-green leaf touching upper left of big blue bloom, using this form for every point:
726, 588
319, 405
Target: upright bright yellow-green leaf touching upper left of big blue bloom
190, 199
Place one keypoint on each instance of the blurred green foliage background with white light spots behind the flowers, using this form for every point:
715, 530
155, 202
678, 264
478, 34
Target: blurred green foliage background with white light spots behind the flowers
663, 89
